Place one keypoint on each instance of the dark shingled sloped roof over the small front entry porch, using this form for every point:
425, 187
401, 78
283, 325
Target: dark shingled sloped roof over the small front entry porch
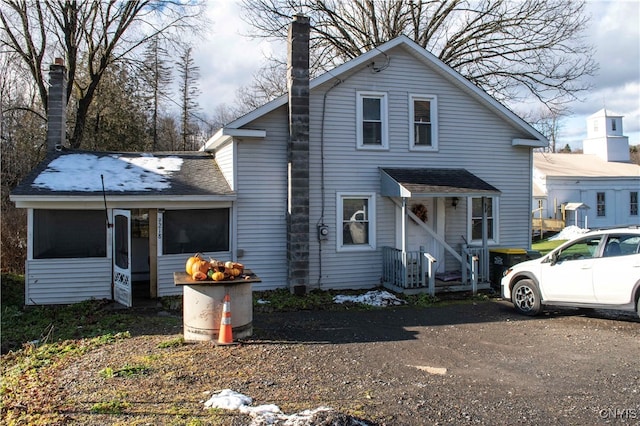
433, 183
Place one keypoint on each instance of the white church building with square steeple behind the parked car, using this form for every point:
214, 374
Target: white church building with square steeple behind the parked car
598, 188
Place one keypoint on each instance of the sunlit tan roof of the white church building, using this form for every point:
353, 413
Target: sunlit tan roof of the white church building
582, 165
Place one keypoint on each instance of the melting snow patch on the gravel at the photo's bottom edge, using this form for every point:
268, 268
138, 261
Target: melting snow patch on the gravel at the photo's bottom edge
268, 414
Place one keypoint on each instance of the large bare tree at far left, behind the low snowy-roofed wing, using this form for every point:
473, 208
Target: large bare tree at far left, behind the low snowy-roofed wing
108, 31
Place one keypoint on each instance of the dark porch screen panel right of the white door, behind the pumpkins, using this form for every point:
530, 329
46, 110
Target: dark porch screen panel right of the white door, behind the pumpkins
193, 231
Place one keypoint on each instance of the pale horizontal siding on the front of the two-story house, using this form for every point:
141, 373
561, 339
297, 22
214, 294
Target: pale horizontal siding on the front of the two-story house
480, 143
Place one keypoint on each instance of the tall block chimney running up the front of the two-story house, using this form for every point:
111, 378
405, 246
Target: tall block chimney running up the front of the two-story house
298, 86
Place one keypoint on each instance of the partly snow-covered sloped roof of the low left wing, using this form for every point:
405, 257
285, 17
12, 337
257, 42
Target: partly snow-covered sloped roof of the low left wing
70, 174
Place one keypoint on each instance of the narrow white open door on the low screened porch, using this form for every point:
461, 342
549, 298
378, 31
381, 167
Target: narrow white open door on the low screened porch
122, 257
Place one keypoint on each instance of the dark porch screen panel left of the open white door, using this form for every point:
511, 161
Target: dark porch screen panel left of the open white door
64, 234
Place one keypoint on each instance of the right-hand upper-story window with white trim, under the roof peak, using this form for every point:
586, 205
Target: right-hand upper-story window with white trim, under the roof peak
423, 123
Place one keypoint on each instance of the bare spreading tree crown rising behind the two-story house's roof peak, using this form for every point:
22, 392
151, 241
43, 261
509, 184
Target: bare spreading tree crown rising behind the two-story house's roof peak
511, 49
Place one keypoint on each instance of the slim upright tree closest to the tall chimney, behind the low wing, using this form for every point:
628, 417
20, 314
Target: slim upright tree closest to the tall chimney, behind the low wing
188, 74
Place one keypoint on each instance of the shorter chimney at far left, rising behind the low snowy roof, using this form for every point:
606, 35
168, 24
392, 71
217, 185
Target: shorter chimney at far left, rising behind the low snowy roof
57, 106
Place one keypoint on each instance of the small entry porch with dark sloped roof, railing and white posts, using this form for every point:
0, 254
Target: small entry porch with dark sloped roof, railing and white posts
423, 270
